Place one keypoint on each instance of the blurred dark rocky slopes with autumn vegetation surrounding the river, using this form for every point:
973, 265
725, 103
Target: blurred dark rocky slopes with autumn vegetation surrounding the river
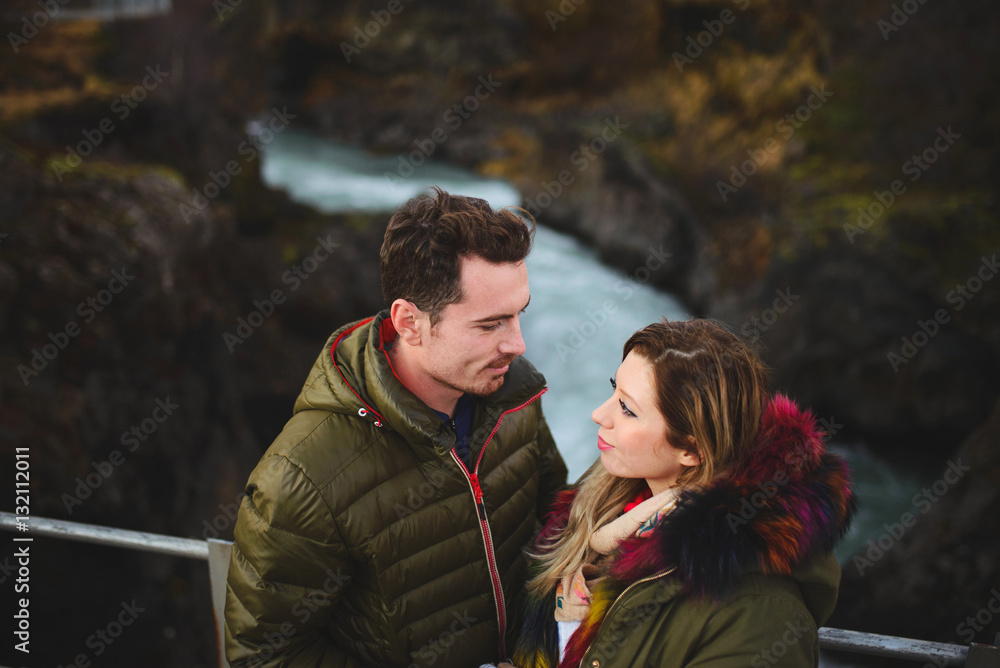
691, 113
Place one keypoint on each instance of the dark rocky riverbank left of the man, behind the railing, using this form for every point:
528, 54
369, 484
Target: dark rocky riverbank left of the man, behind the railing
145, 364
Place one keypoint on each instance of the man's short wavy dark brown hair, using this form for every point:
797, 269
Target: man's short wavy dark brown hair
429, 235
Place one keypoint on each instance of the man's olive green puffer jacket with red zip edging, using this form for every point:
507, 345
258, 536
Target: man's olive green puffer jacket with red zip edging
364, 541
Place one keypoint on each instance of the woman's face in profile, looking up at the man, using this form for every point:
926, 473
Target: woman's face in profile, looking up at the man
633, 433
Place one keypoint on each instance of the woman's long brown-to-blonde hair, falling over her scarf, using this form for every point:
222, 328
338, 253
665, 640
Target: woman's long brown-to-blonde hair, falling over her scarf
711, 389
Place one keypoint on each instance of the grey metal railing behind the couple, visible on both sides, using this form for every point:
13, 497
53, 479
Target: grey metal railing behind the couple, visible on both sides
216, 553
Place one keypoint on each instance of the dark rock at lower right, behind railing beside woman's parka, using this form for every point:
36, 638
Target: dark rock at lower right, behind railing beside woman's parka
932, 573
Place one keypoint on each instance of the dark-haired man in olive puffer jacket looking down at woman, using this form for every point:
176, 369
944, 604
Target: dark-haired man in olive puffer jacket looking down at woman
385, 525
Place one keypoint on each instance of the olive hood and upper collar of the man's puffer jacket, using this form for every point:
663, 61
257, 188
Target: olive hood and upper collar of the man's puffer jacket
353, 375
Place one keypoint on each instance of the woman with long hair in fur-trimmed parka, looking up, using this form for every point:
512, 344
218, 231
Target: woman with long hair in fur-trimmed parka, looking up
703, 535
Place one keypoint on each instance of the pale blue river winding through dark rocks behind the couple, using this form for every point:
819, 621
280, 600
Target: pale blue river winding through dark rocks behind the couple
581, 311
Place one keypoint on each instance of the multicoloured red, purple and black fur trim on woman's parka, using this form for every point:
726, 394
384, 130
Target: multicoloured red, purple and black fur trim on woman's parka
789, 501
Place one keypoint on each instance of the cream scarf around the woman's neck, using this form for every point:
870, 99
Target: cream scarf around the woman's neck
573, 593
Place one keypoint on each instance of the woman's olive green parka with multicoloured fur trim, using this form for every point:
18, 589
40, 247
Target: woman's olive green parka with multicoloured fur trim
740, 574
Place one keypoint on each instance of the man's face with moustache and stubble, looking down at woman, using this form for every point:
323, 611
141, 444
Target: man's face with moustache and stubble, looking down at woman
471, 346
